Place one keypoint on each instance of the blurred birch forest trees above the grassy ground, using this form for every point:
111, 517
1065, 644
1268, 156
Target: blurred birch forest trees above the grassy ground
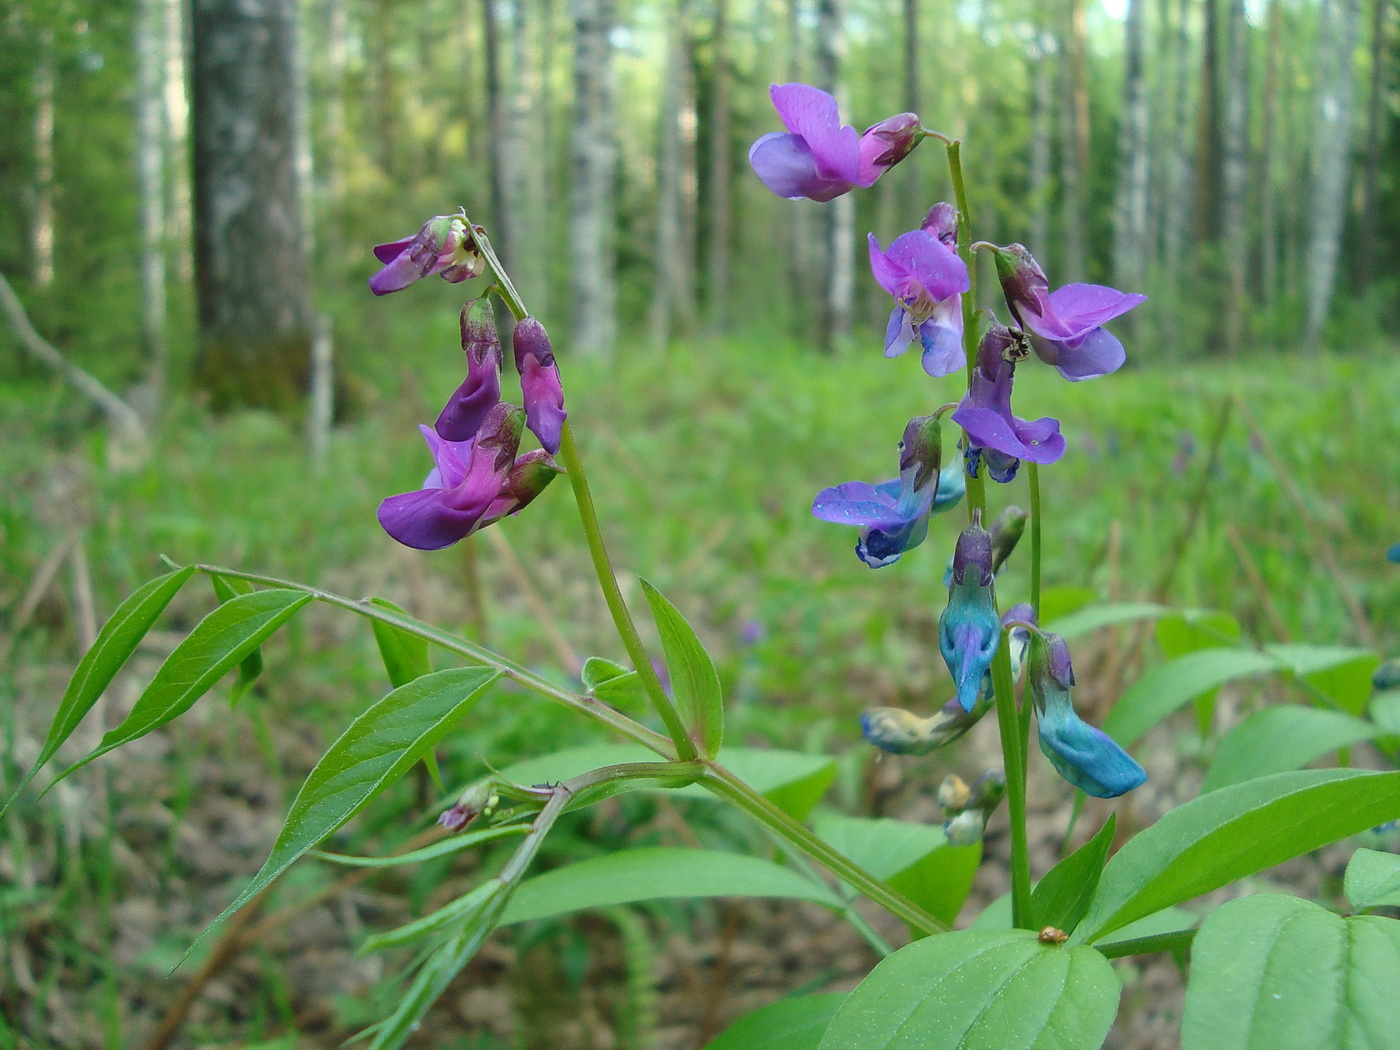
1238, 162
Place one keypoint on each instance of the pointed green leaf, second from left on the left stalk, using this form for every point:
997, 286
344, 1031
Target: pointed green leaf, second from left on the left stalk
218, 645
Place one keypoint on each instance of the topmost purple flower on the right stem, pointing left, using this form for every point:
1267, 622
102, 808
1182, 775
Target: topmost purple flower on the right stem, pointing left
820, 157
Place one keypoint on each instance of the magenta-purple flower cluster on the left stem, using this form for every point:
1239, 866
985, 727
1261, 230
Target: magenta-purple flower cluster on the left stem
478, 474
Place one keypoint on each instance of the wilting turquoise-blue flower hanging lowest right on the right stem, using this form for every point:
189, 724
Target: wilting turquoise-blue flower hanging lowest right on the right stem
1083, 755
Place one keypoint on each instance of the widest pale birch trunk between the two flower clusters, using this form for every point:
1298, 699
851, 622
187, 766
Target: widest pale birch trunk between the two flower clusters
594, 160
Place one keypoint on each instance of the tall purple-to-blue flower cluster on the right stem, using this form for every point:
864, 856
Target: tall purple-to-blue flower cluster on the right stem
926, 276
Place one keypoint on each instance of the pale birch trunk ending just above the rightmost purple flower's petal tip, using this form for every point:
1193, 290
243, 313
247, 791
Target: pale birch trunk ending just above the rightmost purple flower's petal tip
1130, 205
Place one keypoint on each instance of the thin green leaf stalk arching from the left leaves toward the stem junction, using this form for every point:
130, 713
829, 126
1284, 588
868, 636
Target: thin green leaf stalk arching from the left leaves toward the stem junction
477, 654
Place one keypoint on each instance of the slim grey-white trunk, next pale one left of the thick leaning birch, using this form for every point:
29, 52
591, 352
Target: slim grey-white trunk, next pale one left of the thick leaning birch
1234, 173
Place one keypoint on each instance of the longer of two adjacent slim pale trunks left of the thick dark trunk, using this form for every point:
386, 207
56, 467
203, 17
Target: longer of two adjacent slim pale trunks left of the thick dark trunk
150, 192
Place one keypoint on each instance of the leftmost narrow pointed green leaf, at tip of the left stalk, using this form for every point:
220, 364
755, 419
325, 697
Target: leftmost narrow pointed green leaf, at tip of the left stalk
113, 647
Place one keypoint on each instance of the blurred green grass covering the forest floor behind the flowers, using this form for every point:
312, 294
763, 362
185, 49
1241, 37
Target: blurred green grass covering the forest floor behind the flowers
703, 463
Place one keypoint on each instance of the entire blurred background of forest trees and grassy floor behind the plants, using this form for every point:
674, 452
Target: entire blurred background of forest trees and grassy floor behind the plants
188, 198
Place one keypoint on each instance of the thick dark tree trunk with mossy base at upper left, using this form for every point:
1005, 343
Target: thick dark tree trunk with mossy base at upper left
251, 261
